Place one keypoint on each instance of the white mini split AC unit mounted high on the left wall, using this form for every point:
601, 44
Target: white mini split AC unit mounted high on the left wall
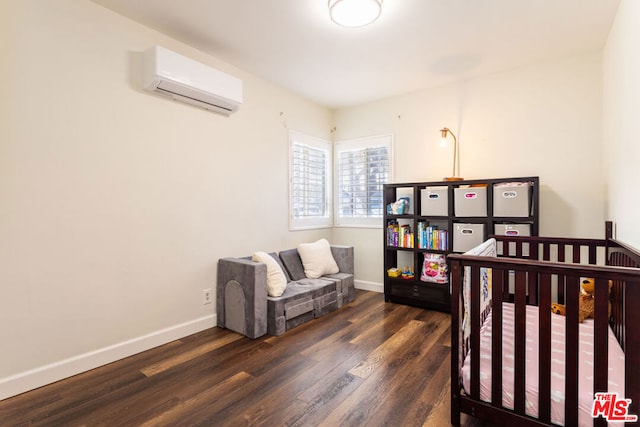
183, 79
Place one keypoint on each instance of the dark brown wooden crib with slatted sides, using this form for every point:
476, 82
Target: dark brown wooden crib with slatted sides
529, 274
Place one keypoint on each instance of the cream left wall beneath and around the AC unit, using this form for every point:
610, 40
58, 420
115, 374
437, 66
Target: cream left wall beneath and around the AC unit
116, 204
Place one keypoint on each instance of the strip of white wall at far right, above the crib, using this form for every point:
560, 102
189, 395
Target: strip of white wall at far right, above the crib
622, 121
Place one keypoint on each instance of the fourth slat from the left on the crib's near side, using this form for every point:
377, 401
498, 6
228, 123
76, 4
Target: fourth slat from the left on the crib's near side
544, 336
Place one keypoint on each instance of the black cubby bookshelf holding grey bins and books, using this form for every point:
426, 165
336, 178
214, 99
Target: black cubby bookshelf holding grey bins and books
412, 290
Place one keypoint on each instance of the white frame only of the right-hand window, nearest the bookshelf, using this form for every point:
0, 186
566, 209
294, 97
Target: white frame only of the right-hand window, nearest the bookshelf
354, 145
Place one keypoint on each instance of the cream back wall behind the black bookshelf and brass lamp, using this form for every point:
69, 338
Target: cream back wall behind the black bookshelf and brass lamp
543, 120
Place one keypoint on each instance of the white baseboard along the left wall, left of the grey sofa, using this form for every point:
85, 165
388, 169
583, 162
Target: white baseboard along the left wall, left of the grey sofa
38, 377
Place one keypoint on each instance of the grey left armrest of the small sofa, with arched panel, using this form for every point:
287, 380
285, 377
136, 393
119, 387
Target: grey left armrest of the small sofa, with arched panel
241, 296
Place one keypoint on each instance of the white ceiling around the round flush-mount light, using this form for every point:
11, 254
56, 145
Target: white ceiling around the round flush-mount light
415, 44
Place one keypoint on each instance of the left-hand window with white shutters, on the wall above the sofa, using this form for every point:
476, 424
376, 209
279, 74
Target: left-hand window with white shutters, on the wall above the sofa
309, 182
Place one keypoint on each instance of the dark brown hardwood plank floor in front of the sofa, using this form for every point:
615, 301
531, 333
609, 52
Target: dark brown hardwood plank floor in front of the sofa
370, 363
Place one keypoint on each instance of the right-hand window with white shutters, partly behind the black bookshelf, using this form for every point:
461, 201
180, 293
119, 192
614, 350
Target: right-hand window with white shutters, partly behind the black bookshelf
362, 166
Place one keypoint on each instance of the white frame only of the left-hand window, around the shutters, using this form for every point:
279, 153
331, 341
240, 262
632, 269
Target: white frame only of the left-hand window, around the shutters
315, 222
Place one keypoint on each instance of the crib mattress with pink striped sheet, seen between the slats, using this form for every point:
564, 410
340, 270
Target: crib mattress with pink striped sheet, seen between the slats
585, 384
